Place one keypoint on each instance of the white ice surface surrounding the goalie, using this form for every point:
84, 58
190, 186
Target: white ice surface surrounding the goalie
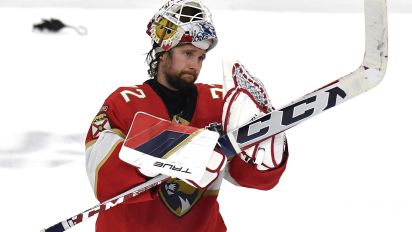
349, 168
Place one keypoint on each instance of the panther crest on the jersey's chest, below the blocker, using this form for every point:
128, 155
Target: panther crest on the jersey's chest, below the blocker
179, 197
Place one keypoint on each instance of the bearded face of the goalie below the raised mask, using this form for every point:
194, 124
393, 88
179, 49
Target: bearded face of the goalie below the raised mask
180, 67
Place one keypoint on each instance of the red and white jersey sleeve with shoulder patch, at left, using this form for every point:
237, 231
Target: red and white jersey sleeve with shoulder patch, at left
108, 175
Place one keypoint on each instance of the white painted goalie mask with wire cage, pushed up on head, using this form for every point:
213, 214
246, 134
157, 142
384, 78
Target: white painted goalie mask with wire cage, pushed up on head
182, 21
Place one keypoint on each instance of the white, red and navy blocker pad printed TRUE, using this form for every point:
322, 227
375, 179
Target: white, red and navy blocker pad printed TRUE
160, 146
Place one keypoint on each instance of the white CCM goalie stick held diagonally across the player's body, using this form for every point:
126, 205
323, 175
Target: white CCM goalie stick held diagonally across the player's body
367, 76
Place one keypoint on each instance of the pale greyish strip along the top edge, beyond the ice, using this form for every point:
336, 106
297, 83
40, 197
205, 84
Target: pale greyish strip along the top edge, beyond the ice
265, 5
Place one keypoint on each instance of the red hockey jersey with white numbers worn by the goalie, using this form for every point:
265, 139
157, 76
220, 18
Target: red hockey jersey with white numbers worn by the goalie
175, 205
